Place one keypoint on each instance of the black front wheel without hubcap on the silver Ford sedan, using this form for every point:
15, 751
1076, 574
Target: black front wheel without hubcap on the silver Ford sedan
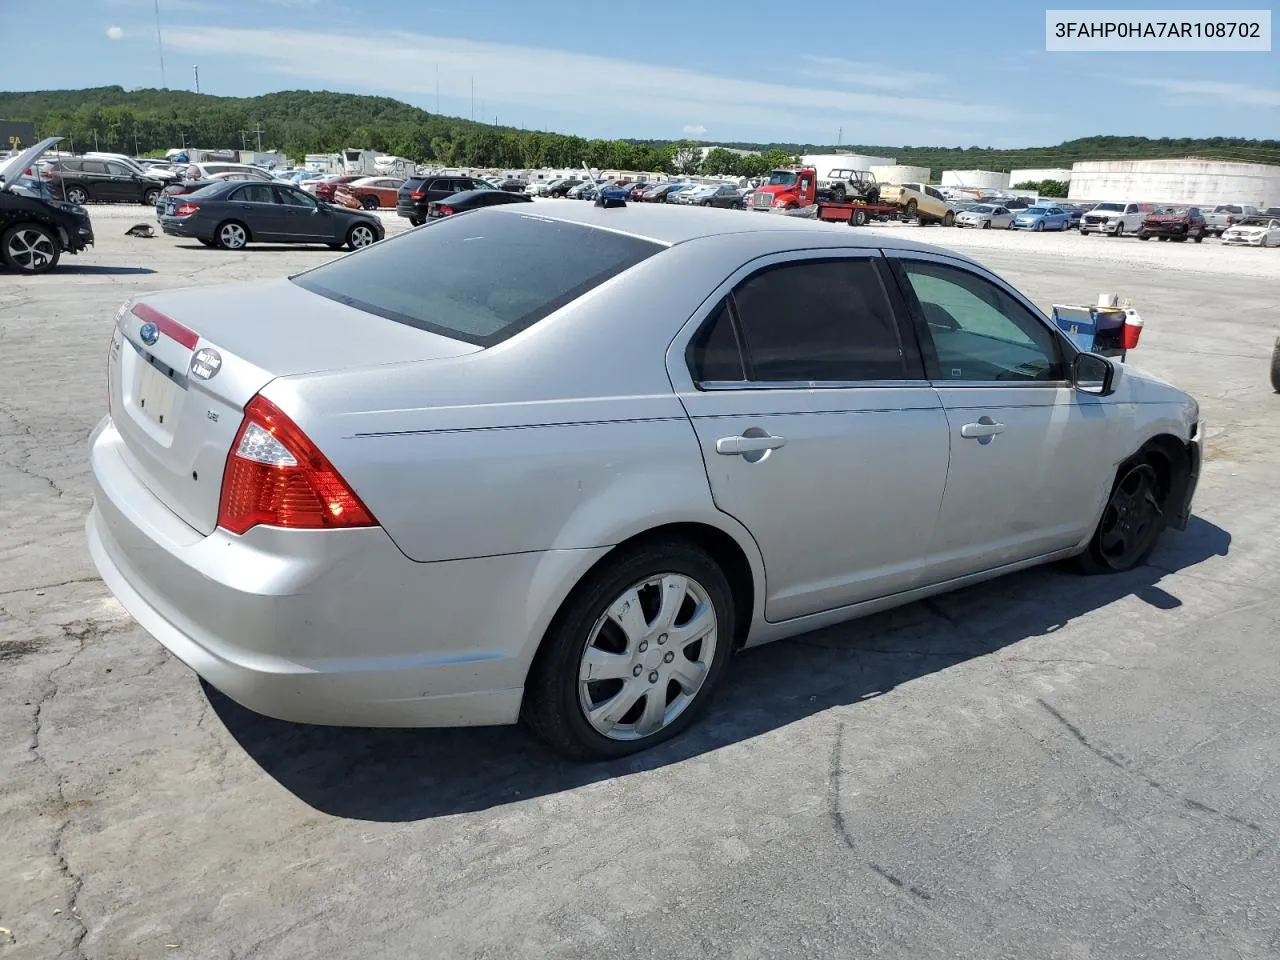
1132, 522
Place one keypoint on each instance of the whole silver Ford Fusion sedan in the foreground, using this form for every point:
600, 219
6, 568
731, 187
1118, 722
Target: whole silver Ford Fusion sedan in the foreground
408, 488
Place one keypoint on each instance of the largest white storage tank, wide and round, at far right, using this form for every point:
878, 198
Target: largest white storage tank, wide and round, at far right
1191, 181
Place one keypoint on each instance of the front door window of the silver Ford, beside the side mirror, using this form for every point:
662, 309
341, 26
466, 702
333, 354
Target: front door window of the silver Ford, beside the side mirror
980, 332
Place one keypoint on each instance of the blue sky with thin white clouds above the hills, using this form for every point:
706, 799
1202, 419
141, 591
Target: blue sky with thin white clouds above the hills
958, 75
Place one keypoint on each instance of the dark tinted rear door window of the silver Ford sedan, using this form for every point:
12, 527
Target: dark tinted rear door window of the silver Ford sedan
819, 322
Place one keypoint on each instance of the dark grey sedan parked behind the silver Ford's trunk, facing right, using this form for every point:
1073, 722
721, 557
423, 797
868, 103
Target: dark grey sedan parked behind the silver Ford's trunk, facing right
232, 214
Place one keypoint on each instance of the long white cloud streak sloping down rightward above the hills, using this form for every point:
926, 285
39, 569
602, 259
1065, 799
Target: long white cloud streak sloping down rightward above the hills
536, 77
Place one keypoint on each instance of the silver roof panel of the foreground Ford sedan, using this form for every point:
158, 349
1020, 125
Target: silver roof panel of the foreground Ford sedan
673, 225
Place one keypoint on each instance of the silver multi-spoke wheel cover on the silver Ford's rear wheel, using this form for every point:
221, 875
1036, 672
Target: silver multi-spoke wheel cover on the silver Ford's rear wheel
647, 657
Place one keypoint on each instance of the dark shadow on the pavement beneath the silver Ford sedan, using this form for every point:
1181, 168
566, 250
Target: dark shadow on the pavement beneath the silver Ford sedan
413, 775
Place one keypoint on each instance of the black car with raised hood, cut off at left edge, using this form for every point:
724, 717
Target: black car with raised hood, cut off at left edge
36, 228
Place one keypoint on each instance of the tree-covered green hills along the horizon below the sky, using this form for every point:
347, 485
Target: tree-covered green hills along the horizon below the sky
310, 122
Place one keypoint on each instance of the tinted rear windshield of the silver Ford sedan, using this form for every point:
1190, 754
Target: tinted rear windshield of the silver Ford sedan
479, 277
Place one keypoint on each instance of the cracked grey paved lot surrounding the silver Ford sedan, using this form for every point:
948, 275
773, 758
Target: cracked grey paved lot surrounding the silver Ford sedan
1040, 767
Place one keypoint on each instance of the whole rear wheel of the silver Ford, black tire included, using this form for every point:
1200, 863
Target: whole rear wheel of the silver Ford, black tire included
634, 655
